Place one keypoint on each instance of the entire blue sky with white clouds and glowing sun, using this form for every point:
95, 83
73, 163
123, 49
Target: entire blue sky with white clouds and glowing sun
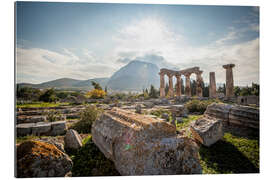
91, 40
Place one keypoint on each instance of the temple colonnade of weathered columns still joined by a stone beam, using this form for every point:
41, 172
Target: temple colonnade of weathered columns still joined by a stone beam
187, 73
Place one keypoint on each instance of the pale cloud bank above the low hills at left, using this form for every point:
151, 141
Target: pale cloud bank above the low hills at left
37, 65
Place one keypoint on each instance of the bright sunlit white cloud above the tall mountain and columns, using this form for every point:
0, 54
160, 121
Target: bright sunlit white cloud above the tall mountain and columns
162, 46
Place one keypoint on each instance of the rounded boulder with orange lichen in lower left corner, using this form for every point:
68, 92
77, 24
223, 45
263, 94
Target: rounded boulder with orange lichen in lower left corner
40, 159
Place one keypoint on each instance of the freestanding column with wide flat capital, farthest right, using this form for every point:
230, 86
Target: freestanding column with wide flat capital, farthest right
229, 80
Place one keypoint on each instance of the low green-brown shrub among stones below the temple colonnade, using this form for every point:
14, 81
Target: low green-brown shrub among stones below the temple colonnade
199, 105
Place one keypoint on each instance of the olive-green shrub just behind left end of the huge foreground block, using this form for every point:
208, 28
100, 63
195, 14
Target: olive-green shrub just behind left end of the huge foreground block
88, 116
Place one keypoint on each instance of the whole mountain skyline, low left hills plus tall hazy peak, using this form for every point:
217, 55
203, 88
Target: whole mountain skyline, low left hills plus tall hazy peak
135, 76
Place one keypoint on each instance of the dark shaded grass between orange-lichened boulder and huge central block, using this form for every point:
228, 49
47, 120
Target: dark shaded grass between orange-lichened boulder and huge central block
90, 161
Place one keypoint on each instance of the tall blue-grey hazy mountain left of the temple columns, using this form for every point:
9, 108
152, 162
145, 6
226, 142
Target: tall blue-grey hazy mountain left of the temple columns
135, 76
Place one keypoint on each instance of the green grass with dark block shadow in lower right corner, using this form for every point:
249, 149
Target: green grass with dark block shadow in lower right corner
232, 154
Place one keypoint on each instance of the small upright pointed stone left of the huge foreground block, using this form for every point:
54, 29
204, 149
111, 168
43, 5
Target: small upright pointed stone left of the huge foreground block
72, 140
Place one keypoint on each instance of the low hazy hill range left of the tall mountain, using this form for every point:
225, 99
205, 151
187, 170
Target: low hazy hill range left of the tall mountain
68, 84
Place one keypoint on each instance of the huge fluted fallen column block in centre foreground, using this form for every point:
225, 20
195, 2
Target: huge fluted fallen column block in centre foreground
141, 145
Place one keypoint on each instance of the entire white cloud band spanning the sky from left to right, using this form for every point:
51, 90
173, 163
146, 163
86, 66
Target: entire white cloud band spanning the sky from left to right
150, 40
